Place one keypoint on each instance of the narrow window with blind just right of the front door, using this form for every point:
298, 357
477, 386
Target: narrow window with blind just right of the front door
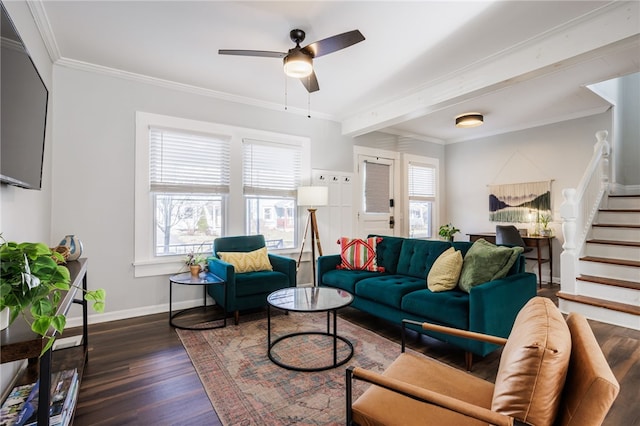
421, 186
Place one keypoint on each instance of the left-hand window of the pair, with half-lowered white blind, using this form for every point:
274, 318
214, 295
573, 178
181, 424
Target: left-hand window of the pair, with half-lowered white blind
189, 179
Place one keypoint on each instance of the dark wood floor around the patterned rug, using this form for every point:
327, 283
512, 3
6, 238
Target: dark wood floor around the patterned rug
139, 374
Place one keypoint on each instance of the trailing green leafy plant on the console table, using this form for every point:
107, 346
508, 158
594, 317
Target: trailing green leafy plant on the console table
32, 283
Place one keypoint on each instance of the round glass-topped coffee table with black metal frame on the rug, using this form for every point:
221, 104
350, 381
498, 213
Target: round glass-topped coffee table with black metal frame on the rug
310, 299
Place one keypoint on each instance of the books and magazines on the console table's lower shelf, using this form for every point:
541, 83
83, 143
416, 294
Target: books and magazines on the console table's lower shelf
21, 406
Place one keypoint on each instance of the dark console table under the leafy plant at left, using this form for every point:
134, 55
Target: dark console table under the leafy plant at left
19, 342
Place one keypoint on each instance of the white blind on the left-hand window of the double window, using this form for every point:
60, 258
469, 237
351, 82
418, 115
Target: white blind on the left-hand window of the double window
188, 163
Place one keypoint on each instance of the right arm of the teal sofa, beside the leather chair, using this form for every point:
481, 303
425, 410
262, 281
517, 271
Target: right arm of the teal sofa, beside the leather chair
493, 306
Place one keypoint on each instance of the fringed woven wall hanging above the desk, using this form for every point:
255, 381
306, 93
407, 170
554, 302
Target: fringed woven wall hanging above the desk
514, 203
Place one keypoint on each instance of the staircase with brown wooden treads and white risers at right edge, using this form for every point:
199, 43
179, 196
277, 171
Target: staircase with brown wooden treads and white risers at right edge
607, 284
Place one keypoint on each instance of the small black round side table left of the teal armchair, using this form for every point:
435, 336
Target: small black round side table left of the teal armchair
204, 279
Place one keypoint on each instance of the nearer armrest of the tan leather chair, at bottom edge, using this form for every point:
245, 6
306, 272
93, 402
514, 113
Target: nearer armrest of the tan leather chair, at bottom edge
423, 395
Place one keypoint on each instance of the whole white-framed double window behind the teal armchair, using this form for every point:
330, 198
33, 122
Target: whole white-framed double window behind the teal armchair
195, 181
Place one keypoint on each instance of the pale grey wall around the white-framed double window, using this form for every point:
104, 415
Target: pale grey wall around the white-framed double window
93, 172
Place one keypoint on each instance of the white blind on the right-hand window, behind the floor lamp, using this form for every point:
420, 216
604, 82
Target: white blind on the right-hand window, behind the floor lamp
271, 168
